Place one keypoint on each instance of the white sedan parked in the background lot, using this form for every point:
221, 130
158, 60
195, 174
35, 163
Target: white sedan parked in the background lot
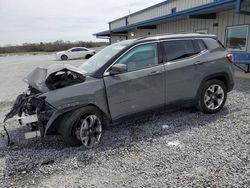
75, 53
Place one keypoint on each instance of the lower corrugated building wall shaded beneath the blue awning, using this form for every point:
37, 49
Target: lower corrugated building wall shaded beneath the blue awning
224, 19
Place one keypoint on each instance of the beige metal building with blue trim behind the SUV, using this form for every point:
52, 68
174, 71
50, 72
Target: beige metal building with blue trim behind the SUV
228, 19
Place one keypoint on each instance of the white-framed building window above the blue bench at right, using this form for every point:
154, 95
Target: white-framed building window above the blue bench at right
236, 38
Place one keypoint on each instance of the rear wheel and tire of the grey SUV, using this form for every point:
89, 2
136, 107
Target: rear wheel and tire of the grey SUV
212, 97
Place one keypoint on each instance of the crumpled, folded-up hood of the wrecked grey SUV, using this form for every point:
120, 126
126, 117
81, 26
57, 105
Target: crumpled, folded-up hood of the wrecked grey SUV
56, 76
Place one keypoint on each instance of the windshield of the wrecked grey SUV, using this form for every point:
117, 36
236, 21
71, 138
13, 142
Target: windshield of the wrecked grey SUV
102, 57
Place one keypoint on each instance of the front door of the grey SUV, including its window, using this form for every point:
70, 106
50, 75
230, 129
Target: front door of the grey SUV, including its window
142, 87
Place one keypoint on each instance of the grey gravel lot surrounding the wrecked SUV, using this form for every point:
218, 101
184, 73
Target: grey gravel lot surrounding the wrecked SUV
181, 148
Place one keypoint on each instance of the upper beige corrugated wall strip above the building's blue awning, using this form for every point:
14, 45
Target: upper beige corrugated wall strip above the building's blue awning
163, 9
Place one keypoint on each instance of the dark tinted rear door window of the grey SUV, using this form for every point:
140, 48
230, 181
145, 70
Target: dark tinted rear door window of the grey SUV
179, 49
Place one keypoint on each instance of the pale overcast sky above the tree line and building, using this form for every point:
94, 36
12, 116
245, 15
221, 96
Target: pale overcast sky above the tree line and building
50, 20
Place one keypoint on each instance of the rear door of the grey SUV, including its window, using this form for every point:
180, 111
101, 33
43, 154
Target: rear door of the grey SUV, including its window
182, 59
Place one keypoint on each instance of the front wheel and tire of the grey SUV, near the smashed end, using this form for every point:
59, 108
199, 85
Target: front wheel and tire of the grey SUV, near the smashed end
82, 127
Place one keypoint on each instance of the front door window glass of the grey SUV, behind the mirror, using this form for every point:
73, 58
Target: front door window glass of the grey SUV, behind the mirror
140, 57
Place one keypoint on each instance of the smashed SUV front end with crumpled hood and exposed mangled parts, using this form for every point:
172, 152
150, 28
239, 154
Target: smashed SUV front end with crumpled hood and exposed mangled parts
31, 107
